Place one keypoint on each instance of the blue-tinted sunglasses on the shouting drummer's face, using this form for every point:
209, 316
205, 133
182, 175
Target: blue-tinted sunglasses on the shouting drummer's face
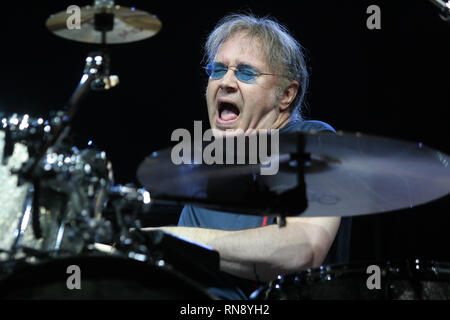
244, 73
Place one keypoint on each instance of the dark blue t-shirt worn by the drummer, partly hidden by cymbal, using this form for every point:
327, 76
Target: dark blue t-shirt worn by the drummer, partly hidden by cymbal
233, 287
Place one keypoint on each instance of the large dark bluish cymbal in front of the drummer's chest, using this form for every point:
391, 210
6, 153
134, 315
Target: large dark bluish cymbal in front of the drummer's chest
348, 174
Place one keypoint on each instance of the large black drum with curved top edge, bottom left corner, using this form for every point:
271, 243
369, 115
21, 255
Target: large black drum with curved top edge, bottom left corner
99, 278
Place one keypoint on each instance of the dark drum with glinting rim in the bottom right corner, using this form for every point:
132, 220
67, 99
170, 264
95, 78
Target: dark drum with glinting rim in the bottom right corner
406, 280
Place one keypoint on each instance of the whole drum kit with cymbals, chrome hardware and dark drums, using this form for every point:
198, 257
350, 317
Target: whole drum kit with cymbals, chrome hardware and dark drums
60, 206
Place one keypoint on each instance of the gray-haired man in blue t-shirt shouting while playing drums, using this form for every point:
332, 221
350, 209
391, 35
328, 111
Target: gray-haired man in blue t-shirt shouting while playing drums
257, 80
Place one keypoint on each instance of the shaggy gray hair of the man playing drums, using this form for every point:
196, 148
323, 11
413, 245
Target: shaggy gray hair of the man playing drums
283, 51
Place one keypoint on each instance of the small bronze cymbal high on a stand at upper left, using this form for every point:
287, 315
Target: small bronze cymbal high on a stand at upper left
130, 25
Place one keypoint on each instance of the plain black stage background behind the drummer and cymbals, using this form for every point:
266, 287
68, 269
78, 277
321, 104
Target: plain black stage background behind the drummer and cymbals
391, 82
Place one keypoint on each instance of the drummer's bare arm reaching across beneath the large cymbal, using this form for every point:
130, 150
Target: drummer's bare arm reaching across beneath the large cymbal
270, 250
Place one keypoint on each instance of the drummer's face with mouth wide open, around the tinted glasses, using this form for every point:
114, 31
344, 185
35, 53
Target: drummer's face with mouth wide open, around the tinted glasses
233, 104
